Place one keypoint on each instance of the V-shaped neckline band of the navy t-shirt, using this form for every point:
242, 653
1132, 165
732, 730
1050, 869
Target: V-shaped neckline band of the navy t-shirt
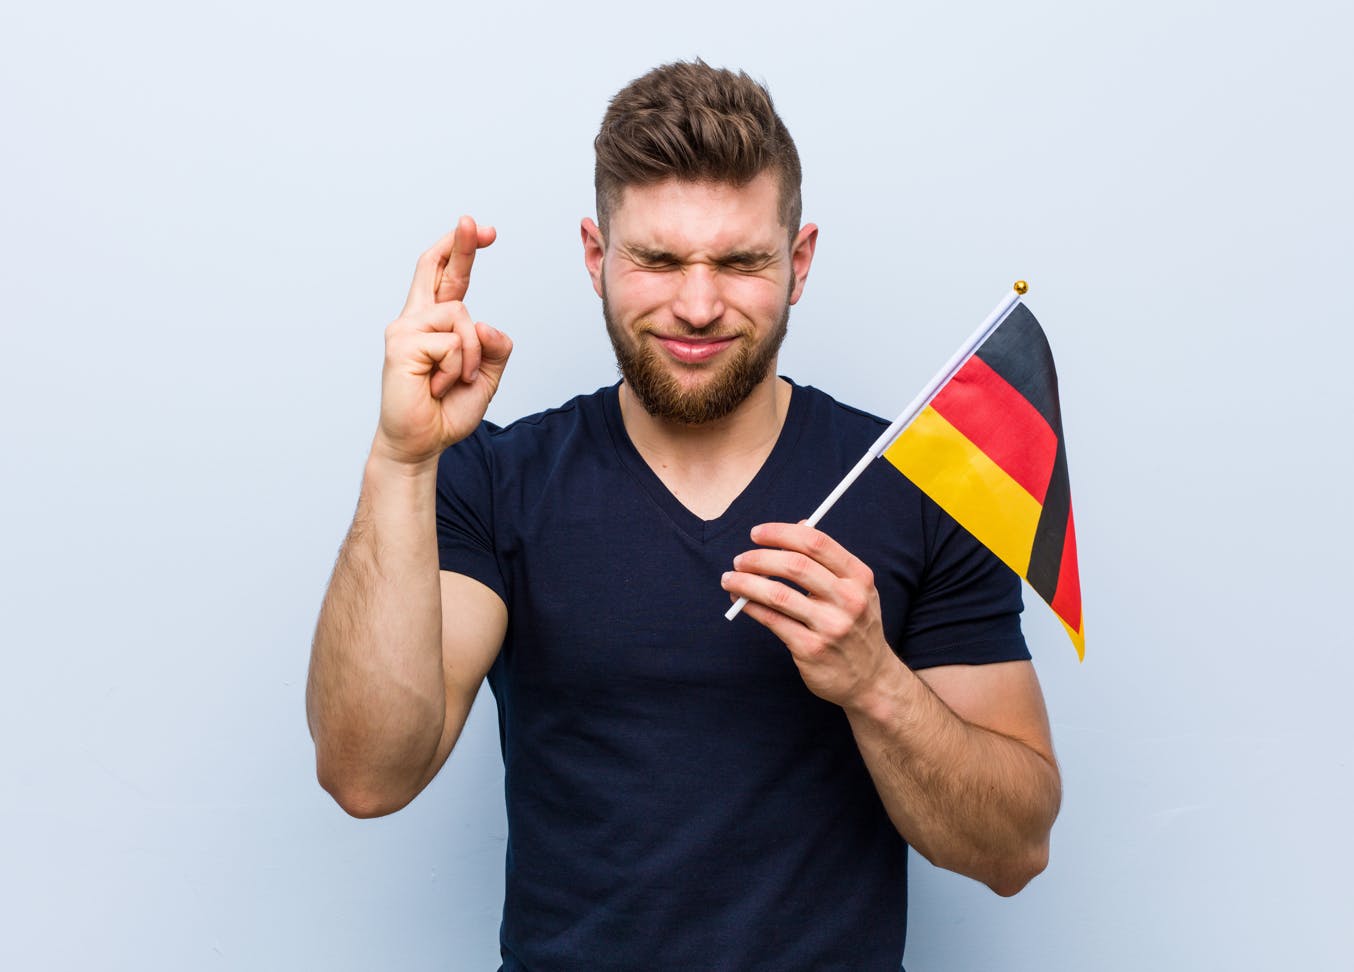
691, 525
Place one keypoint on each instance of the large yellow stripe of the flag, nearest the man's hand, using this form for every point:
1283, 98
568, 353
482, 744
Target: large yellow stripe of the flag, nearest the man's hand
969, 487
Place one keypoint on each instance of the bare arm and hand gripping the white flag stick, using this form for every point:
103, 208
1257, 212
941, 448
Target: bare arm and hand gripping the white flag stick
962, 756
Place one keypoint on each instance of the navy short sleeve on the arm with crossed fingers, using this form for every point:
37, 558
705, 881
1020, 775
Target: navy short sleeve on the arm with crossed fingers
466, 511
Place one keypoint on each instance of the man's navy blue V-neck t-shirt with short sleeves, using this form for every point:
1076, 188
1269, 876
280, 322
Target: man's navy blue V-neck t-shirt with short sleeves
676, 798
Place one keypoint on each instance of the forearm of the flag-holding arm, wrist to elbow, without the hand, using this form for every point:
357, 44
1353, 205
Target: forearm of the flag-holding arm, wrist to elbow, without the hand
969, 799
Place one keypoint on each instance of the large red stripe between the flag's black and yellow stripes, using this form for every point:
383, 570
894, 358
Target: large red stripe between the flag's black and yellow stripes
1003, 423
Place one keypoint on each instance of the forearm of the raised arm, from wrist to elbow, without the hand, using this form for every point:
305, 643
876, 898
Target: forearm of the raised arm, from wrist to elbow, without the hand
376, 698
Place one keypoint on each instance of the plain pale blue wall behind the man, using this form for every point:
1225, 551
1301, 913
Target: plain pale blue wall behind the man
212, 211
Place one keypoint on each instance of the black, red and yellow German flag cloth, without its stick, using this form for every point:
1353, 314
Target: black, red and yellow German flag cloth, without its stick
989, 450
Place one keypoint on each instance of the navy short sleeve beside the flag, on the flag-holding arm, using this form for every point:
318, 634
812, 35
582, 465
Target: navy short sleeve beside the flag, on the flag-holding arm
969, 603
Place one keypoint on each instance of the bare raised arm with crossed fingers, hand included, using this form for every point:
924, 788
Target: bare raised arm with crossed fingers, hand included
401, 648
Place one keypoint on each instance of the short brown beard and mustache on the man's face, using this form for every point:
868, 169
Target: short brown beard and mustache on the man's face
663, 395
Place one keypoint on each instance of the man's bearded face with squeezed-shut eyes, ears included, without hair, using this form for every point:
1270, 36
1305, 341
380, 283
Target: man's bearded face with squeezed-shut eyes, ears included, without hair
697, 282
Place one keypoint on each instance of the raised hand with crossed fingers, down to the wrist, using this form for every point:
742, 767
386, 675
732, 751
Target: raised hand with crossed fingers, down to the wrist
442, 366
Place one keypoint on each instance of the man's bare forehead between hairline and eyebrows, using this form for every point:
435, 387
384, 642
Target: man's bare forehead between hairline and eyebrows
683, 217
